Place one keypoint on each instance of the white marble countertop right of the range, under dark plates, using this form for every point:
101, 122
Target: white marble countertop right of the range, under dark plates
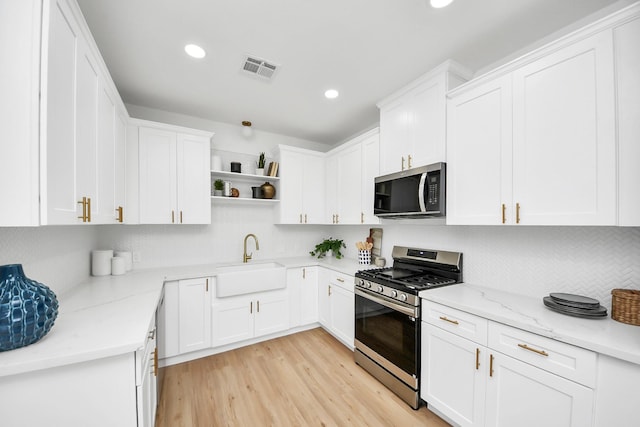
605, 336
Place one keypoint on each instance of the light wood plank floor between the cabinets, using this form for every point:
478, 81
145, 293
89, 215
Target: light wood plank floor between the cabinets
304, 379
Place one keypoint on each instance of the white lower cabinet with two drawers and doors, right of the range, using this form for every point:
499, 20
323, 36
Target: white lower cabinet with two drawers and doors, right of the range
481, 373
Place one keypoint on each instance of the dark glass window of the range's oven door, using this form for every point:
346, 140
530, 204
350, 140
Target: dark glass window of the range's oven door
391, 334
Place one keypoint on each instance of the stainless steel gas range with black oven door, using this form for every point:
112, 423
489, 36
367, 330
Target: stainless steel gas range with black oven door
387, 315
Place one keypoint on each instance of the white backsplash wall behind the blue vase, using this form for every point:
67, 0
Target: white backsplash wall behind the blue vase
58, 256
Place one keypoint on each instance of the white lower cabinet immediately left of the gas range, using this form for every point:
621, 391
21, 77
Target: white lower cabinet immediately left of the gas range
336, 305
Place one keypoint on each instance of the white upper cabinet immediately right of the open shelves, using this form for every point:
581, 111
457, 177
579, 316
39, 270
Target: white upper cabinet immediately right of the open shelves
301, 186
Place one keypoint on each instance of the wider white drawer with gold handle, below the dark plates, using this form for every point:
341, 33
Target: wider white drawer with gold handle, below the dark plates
565, 360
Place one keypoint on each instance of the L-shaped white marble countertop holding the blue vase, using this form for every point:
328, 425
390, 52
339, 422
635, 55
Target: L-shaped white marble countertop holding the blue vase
109, 316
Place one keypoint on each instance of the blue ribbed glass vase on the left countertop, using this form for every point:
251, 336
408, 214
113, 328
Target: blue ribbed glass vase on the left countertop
28, 309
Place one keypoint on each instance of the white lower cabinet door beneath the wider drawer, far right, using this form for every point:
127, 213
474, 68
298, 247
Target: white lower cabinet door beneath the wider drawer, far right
523, 395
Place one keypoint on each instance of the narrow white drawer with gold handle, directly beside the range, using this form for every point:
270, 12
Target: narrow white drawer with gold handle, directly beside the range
458, 322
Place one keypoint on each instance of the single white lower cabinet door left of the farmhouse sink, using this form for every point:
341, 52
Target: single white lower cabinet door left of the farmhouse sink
195, 314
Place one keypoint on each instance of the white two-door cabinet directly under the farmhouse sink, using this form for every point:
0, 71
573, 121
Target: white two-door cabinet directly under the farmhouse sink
243, 317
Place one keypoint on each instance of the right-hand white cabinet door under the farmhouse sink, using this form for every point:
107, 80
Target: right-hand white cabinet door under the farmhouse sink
272, 313
